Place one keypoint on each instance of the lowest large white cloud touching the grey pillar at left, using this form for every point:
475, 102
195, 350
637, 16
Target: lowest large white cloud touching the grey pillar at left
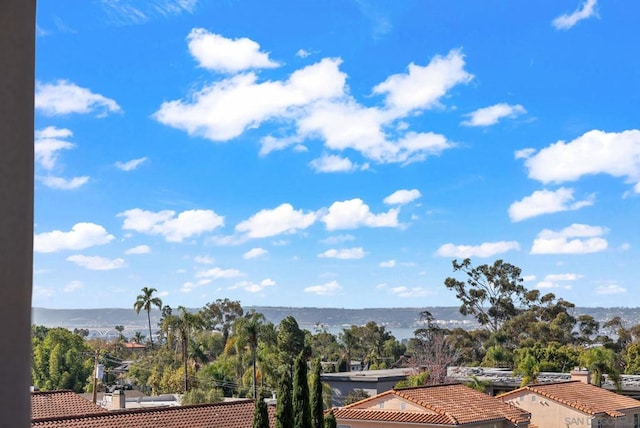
81, 236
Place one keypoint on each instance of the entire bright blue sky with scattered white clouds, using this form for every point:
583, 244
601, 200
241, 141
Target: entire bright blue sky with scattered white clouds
335, 153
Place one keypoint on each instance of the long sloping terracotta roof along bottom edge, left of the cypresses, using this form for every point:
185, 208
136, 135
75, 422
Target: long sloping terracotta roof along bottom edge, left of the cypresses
234, 414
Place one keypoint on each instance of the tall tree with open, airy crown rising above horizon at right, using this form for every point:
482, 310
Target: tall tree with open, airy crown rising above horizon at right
492, 294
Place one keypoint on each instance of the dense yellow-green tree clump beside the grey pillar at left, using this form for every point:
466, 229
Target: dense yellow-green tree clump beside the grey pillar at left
61, 360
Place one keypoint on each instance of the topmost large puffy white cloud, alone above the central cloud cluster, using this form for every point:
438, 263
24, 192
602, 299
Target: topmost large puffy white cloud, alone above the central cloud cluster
215, 52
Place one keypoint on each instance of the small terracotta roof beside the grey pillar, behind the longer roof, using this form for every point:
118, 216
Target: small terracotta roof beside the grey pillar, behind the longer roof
51, 404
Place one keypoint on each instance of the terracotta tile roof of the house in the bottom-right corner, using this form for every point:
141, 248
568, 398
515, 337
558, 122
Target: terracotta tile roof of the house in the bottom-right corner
581, 396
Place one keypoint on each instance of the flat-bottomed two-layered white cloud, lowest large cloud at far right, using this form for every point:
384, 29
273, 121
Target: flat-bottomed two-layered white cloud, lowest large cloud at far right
575, 239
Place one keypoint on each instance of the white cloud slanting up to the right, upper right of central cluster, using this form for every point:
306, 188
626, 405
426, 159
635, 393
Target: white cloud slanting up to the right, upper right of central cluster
423, 87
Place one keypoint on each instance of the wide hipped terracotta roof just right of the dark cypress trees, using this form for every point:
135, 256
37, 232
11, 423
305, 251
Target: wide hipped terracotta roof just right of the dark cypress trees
444, 404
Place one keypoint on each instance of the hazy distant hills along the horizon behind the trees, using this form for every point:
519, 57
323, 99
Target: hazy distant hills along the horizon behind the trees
400, 321
